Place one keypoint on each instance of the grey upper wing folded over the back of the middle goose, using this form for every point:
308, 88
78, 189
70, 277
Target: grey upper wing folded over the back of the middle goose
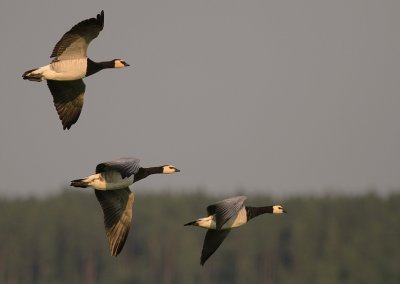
125, 166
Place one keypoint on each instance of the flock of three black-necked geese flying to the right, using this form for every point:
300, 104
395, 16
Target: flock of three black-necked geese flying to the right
112, 179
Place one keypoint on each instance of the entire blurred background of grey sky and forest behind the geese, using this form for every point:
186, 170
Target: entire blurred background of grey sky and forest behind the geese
292, 102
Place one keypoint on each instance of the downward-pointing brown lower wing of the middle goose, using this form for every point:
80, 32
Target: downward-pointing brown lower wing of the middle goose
117, 208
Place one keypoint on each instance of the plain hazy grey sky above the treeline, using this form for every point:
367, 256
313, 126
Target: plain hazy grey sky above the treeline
274, 96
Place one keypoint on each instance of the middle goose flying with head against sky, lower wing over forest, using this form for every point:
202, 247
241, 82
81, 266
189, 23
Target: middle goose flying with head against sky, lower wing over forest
111, 183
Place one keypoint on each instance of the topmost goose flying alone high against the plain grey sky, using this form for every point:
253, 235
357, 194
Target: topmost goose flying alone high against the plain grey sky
70, 64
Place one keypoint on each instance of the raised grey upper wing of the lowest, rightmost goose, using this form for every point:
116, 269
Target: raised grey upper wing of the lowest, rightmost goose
225, 209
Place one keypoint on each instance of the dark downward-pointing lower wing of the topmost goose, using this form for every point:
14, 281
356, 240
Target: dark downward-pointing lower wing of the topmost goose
68, 100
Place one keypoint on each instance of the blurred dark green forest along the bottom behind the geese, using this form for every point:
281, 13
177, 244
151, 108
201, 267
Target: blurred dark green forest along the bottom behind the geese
330, 239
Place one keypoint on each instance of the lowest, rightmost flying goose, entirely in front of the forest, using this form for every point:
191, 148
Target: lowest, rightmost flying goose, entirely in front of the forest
225, 215
